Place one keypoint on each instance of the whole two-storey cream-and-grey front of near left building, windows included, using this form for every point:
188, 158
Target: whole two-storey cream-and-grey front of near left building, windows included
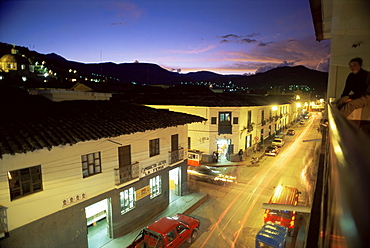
53, 196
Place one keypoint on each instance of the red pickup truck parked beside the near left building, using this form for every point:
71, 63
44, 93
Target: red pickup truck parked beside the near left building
168, 232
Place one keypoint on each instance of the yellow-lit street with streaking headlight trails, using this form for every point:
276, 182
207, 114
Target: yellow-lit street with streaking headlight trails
233, 214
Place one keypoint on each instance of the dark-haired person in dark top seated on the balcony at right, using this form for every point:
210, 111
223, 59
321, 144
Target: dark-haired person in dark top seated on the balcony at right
358, 82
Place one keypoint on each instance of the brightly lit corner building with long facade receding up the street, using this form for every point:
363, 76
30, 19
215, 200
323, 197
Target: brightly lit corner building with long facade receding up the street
229, 129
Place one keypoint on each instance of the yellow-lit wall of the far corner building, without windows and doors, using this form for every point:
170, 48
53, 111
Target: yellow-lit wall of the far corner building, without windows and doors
205, 135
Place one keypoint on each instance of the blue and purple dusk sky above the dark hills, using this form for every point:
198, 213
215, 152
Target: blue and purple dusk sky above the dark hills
222, 36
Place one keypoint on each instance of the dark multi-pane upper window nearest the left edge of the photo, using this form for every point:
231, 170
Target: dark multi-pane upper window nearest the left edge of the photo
24, 181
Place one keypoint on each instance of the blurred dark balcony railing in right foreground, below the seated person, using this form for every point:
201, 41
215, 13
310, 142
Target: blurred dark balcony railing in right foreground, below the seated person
340, 210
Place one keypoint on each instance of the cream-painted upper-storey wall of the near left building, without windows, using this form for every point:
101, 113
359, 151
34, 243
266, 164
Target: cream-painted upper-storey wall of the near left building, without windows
62, 172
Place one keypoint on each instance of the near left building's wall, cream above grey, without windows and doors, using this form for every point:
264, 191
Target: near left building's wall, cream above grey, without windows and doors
62, 179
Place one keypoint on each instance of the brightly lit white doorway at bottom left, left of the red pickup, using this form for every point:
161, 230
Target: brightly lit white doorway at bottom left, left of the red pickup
98, 220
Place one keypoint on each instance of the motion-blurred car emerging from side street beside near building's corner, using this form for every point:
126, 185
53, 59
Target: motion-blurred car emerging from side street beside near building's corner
210, 175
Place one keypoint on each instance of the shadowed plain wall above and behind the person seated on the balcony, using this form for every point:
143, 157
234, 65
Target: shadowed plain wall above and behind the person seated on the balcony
349, 38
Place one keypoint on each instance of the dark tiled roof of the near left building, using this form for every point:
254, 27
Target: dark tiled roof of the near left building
29, 123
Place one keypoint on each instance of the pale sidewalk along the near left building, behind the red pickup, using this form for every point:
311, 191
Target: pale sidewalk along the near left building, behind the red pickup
185, 204
